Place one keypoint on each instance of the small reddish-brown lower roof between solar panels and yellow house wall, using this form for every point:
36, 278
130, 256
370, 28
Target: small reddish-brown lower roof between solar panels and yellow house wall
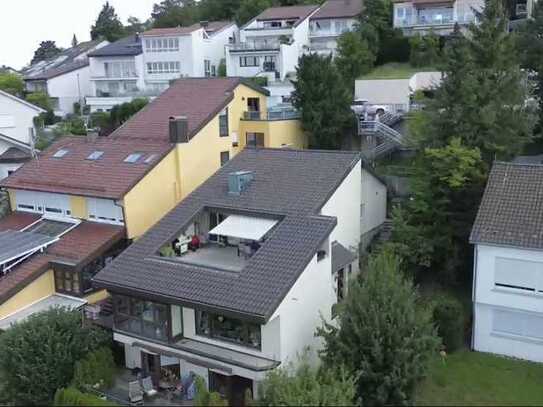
86, 241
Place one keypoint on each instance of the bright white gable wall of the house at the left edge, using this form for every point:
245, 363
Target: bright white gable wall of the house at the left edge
16, 118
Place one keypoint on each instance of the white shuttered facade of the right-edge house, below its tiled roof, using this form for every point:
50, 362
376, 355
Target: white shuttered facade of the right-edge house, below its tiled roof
508, 302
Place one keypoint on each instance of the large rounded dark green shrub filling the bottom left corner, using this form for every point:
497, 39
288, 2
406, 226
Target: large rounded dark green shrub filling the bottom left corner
37, 356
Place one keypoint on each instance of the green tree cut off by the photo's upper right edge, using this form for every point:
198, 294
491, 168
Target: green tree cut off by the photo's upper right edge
531, 50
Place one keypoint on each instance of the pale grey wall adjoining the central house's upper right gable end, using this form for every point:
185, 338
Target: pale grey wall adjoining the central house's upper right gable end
373, 201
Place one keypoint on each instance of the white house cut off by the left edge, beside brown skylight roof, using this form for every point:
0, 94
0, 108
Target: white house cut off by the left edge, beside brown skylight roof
17, 130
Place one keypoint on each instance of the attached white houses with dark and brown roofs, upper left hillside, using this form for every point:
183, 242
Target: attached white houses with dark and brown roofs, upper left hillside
144, 65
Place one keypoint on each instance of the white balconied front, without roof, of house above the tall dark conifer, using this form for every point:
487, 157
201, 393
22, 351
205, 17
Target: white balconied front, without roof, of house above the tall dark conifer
324, 33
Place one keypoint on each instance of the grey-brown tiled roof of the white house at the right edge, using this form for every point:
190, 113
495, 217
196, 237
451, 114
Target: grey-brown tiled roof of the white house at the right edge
511, 211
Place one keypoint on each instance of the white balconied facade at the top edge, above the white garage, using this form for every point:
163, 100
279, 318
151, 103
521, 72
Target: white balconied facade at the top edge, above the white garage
440, 18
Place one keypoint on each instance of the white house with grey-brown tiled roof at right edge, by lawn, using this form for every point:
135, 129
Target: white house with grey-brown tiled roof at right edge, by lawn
508, 270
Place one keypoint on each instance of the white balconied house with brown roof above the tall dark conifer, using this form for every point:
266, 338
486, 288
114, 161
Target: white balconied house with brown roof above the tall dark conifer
333, 18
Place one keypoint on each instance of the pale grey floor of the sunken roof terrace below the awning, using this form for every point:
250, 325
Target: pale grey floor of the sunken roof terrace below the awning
215, 256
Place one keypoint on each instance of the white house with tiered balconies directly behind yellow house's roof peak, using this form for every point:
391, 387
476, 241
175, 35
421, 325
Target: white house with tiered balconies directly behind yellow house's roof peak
270, 44
